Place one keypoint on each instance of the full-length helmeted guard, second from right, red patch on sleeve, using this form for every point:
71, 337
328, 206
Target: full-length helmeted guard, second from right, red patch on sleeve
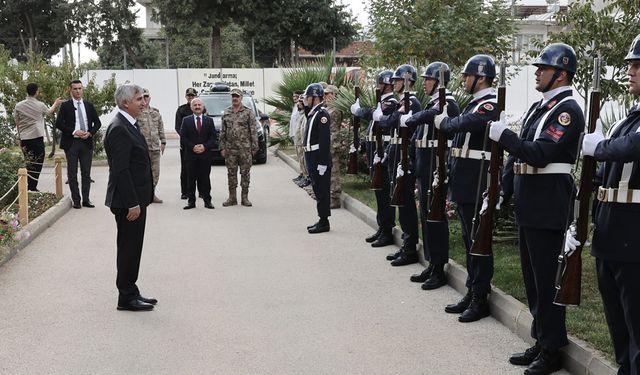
544, 154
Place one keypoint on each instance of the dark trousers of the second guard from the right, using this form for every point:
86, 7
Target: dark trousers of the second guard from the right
539, 250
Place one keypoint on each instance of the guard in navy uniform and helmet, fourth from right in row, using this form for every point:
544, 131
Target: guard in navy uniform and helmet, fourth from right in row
435, 235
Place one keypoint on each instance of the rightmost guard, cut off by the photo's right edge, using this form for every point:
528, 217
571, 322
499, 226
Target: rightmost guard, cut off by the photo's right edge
615, 241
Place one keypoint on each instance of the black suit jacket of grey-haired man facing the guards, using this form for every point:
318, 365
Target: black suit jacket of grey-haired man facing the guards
130, 181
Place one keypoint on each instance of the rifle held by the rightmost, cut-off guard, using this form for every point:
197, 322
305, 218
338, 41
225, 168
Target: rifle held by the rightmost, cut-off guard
569, 272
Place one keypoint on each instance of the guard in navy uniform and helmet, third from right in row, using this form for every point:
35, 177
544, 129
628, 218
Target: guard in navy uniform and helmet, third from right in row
469, 164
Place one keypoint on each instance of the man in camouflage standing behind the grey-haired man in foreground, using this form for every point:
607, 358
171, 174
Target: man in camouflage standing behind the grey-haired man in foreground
152, 128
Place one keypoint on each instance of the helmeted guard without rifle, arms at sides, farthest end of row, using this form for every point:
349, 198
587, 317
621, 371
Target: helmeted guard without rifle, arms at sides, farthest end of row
317, 153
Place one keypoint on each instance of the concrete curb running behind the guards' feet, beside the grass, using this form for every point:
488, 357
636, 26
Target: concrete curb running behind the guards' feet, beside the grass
579, 357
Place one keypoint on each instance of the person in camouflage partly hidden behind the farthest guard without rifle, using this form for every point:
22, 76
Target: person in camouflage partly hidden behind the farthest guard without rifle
336, 122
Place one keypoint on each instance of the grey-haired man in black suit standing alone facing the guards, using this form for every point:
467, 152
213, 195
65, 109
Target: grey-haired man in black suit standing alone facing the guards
129, 192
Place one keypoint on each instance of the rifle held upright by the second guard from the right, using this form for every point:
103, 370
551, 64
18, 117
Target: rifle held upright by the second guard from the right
483, 237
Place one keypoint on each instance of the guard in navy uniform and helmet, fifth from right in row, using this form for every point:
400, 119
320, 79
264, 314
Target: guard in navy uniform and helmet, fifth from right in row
408, 214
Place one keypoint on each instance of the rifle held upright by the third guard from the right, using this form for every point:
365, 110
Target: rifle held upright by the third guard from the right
437, 207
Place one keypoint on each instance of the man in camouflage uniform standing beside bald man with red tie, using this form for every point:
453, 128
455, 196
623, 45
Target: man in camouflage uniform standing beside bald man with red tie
238, 144
